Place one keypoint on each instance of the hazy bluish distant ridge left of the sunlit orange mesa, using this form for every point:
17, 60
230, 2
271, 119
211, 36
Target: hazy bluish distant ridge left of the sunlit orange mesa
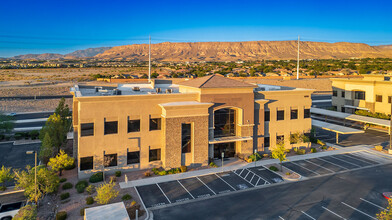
89, 52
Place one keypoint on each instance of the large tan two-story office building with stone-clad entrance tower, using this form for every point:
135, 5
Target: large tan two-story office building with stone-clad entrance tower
140, 126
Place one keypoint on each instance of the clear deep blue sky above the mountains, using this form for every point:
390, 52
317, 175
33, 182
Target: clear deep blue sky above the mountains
62, 26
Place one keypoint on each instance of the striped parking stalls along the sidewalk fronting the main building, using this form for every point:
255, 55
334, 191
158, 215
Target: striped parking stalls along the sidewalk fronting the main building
181, 190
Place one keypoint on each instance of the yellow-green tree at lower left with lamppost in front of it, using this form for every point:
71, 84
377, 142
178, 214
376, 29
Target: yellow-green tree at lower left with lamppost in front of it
47, 182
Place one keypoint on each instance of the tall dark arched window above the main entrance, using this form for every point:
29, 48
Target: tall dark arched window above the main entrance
224, 122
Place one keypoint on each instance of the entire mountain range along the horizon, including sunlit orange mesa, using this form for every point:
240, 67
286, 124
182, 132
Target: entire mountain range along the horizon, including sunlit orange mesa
228, 51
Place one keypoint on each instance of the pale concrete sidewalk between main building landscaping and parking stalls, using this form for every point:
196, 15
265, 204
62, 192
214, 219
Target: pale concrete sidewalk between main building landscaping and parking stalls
166, 178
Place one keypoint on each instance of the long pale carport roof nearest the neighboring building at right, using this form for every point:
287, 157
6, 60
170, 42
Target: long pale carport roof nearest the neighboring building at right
353, 117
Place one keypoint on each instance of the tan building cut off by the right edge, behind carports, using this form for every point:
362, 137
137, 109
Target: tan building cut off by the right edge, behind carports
372, 93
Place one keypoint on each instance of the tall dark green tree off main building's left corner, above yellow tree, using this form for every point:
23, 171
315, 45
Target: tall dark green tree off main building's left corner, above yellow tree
56, 130
